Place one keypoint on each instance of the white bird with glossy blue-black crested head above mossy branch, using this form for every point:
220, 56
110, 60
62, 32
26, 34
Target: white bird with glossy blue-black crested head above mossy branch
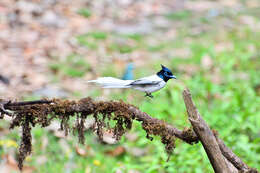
148, 84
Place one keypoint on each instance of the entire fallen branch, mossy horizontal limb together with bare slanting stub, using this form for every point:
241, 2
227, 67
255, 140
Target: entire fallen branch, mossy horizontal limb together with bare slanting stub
42, 112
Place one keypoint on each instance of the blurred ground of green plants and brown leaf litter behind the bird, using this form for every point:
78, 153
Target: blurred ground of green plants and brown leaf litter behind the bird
212, 47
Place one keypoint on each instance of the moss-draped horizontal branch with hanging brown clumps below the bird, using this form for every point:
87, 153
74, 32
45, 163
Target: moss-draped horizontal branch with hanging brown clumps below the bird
42, 112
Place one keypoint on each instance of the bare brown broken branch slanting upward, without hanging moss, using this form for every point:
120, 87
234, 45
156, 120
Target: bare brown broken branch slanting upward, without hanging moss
213, 146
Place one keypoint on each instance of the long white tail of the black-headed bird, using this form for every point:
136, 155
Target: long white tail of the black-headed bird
110, 82
